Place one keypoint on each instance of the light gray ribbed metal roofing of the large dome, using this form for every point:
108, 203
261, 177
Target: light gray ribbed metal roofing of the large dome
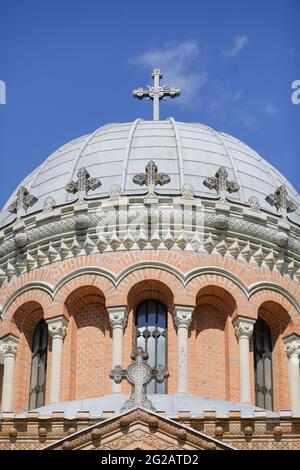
188, 152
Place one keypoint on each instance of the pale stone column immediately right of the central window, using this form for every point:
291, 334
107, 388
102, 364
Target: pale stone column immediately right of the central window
182, 319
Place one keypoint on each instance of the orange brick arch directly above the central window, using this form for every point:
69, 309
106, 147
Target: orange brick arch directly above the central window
165, 281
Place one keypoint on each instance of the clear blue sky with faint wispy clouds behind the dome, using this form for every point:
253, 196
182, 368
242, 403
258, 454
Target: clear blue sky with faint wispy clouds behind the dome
70, 66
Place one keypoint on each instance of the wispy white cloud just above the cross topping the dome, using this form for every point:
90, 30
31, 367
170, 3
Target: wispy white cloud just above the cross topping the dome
181, 66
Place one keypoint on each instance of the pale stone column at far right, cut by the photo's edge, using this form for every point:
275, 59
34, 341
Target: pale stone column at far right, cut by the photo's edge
292, 344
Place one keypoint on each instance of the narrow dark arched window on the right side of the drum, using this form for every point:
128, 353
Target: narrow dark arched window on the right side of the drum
262, 341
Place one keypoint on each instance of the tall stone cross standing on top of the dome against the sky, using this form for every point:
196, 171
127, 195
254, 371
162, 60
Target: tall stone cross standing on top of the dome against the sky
156, 93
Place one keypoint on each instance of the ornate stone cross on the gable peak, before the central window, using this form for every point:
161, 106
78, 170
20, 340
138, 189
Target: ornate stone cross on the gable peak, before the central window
139, 374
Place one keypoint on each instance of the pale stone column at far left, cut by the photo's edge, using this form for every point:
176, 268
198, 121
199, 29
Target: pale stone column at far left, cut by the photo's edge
9, 348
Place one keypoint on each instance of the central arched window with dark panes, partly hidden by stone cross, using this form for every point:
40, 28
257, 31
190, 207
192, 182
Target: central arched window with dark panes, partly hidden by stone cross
151, 335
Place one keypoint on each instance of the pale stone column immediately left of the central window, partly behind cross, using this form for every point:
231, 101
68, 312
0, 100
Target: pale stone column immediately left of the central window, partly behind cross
118, 321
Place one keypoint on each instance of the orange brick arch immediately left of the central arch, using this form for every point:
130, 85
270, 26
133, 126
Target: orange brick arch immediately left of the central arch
102, 284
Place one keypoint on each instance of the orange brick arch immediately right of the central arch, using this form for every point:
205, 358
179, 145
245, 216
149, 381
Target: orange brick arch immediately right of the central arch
225, 288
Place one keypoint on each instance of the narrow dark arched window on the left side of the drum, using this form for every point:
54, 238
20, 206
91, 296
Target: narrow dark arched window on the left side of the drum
38, 365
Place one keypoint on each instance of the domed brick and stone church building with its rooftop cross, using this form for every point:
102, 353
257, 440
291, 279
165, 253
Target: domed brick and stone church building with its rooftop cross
167, 236
